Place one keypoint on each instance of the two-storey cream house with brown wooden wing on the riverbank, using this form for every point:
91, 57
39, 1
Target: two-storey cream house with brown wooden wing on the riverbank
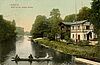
80, 30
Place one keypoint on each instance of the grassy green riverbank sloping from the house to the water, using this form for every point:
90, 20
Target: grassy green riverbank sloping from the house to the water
87, 52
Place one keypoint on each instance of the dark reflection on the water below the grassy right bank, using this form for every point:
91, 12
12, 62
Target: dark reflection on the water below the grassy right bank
58, 58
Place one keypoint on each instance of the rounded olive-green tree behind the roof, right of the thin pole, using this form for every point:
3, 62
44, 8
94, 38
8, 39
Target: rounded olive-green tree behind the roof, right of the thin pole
84, 14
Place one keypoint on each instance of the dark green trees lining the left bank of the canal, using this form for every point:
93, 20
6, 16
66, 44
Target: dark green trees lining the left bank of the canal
7, 29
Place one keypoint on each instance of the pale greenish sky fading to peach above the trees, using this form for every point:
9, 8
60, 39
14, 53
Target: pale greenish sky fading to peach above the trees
24, 12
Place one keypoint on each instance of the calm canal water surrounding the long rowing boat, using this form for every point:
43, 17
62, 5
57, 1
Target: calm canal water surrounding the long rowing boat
23, 47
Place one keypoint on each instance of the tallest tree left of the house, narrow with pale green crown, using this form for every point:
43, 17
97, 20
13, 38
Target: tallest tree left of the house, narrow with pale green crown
54, 20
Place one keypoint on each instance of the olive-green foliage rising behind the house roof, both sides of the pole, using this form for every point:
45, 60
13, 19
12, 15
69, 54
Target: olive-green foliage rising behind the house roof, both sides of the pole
84, 14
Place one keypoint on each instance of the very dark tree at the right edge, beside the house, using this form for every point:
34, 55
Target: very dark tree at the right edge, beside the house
95, 17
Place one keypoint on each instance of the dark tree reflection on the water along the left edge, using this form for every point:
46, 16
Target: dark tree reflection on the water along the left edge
6, 48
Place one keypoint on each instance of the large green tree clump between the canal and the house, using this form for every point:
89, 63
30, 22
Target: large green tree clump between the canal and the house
44, 27
